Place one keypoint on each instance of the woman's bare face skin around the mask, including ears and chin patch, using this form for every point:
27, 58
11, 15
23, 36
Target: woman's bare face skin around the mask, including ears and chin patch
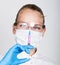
30, 19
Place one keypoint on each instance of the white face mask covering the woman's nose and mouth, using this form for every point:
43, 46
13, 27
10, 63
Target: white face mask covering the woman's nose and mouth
25, 37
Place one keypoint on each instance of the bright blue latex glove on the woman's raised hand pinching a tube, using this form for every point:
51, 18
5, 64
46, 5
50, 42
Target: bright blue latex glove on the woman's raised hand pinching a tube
11, 56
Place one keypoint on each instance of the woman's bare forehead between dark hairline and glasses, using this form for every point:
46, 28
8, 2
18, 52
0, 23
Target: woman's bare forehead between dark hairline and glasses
30, 16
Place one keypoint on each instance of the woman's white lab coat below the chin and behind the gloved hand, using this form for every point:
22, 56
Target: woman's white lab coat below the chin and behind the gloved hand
34, 60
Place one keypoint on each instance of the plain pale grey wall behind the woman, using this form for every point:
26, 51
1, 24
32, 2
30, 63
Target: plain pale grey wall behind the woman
50, 44
